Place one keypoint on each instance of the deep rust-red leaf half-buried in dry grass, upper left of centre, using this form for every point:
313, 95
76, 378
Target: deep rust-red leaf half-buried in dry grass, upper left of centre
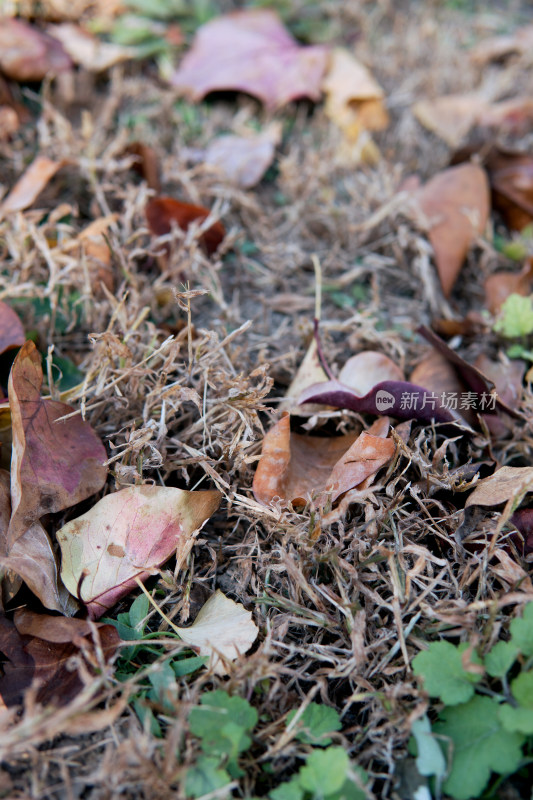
162, 212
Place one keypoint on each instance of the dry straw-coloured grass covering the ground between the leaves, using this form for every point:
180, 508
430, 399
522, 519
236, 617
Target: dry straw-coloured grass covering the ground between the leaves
342, 611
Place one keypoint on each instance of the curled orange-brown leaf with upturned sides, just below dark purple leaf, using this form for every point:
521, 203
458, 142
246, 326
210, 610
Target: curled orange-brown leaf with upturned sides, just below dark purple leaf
296, 468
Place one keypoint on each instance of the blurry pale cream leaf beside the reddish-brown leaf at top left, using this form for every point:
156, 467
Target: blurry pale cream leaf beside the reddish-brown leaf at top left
89, 51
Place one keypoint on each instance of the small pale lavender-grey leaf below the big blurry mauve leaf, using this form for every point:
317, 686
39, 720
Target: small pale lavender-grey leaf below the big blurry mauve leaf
243, 160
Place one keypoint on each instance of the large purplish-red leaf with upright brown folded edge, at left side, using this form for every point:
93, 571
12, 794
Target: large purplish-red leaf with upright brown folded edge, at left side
55, 464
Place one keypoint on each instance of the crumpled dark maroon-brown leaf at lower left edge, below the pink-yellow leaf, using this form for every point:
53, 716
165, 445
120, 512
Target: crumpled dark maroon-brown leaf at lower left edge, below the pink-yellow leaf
38, 648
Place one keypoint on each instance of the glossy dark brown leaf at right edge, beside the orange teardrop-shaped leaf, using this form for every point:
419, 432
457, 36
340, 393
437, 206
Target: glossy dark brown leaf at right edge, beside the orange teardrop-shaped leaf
511, 180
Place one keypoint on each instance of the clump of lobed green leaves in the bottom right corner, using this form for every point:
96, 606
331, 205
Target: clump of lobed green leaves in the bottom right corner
487, 719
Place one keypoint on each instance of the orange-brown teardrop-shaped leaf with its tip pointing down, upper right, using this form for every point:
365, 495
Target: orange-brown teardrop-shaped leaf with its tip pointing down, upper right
455, 204
